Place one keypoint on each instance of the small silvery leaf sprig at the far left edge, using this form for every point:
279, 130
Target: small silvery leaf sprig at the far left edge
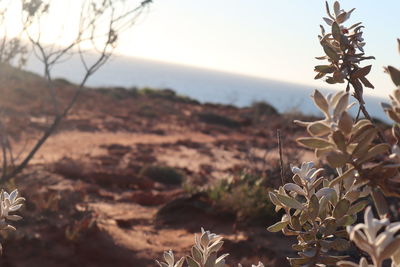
9, 204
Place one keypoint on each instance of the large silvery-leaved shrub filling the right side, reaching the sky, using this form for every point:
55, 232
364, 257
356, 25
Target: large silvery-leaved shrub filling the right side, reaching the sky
320, 209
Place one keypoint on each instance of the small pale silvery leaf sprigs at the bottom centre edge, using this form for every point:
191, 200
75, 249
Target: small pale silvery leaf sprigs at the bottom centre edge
204, 253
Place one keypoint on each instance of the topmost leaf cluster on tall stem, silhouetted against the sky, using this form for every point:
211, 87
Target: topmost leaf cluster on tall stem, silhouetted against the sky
344, 50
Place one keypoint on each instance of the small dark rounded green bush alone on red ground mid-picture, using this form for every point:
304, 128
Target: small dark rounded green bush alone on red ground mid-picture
162, 174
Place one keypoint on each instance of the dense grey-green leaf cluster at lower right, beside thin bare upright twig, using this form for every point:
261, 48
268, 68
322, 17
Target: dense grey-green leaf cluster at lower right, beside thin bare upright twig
316, 212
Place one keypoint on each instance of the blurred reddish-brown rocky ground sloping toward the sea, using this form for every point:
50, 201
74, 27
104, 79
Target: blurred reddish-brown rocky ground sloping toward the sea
90, 201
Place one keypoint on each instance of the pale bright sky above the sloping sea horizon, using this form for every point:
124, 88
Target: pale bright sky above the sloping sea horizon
264, 38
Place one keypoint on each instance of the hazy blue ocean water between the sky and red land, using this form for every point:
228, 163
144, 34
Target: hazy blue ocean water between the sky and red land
201, 84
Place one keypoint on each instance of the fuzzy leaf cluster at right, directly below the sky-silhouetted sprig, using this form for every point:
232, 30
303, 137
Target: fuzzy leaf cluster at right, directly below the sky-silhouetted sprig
352, 145
